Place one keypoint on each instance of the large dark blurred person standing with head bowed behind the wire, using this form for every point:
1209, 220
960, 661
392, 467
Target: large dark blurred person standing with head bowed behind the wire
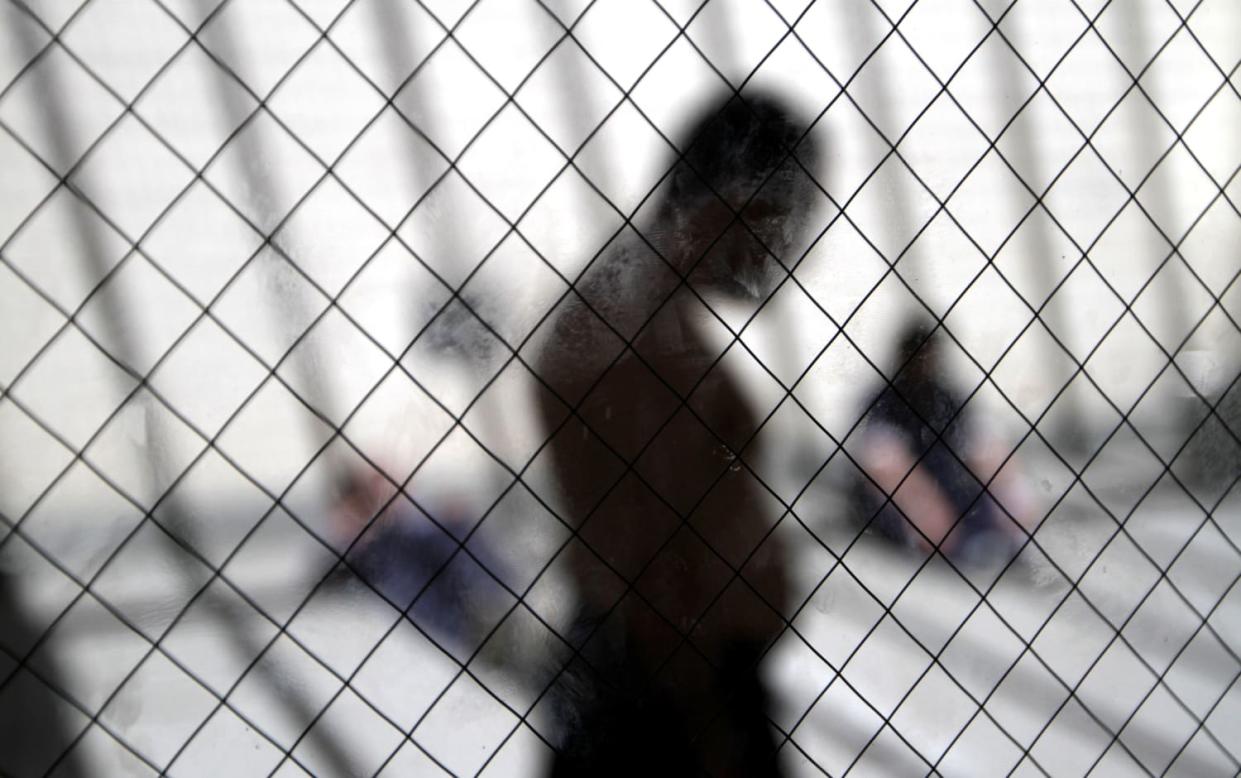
653, 465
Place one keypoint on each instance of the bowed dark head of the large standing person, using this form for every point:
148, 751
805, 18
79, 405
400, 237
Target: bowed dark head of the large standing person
741, 194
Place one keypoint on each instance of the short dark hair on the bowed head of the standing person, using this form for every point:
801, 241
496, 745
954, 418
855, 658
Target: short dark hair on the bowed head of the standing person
737, 145
